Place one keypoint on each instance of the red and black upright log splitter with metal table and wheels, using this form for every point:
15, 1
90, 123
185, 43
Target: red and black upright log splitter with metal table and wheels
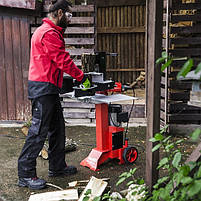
110, 140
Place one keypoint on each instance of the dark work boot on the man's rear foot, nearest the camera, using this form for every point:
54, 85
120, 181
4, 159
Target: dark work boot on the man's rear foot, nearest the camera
32, 183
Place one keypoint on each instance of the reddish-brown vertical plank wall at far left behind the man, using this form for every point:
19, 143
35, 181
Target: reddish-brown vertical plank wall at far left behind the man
14, 62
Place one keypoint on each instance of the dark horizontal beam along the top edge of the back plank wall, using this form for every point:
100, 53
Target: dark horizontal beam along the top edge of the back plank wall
112, 3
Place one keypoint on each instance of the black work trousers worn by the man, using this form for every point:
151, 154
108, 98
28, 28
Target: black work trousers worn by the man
47, 121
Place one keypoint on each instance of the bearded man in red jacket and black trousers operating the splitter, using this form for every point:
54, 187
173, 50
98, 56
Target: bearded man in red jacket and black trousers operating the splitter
48, 62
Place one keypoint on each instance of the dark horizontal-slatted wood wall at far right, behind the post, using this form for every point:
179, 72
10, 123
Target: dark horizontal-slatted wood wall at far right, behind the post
185, 43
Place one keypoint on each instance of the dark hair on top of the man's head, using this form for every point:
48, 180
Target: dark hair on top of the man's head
59, 4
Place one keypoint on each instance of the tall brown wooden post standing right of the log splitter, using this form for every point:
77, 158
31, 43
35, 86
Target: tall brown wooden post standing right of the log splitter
153, 51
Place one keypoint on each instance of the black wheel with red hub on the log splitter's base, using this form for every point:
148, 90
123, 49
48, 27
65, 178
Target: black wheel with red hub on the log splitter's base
130, 155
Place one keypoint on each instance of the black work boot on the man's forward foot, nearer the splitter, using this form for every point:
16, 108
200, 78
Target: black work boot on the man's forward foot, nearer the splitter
68, 170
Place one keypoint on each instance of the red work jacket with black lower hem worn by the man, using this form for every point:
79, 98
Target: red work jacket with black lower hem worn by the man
48, 61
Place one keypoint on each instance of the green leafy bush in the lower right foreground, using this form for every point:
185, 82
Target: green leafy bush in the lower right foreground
182, 181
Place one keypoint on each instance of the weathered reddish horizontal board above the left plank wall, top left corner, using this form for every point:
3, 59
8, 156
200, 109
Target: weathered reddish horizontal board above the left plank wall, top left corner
26, 4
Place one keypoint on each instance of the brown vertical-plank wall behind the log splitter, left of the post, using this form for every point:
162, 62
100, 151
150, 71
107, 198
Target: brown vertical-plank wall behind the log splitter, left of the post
121, 29
